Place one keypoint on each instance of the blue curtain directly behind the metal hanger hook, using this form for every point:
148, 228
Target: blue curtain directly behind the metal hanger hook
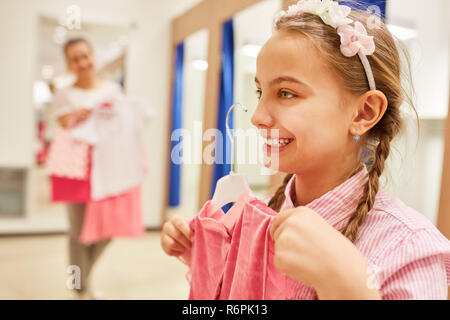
223, 151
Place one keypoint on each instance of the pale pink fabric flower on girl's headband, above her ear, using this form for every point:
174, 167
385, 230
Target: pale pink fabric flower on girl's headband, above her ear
355, 39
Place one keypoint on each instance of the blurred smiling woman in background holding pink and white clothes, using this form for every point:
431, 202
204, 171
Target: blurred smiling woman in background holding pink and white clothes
92, 222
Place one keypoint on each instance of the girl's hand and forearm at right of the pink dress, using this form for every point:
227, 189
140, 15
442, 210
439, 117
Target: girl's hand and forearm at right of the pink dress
311, 251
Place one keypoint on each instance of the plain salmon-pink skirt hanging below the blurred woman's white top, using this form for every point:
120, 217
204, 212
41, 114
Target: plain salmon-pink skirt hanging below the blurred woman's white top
118, 216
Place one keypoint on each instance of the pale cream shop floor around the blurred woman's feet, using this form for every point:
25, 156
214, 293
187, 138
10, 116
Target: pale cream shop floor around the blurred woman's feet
34, 267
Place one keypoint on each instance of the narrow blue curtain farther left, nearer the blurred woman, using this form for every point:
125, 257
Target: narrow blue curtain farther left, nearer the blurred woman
177, 117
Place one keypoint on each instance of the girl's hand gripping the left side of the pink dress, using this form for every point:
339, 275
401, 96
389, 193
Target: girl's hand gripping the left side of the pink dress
176, 236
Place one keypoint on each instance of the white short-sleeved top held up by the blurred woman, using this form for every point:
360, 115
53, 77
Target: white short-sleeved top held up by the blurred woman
118, 155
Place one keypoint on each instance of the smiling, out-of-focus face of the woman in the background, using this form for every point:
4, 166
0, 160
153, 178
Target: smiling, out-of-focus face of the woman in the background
80, 60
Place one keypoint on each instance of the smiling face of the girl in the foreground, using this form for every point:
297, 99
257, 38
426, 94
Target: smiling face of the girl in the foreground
301, 97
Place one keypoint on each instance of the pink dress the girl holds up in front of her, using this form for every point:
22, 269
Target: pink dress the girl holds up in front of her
232, 254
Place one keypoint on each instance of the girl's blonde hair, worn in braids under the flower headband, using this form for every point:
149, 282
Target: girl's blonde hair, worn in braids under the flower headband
386, 67
